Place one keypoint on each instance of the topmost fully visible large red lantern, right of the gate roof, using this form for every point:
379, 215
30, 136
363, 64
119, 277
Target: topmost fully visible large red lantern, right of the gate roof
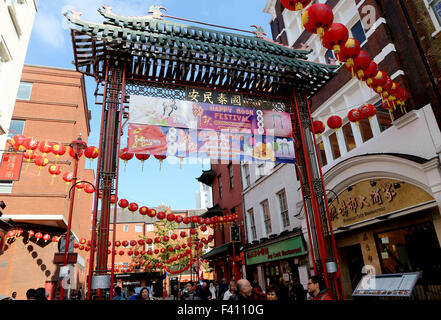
317, 18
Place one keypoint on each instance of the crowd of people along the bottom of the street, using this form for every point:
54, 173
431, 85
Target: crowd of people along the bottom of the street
241, 290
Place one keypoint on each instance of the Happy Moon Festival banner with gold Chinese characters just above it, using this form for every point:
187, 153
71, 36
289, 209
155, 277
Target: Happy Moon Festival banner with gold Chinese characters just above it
190, 129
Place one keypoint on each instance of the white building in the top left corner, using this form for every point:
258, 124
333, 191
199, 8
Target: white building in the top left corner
16, 21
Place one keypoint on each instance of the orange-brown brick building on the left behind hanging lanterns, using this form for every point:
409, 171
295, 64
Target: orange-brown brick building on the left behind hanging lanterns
51, 105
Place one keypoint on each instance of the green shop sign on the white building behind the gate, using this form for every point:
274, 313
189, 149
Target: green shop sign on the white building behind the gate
290, 248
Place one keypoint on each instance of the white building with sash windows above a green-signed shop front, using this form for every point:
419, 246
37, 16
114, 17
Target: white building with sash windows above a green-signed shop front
275, 224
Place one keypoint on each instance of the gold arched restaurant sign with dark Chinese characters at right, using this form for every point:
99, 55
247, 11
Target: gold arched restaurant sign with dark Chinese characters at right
367, 200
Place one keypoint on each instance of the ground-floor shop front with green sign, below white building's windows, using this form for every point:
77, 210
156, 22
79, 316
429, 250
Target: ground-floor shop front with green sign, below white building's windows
276, 260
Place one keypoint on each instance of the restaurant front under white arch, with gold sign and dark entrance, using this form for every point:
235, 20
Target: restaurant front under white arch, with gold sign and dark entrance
385, 226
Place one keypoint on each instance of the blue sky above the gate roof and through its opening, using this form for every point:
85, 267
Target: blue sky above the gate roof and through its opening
51, 45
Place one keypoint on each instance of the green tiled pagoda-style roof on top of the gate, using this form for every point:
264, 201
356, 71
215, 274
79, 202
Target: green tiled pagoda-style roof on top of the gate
160, 50
